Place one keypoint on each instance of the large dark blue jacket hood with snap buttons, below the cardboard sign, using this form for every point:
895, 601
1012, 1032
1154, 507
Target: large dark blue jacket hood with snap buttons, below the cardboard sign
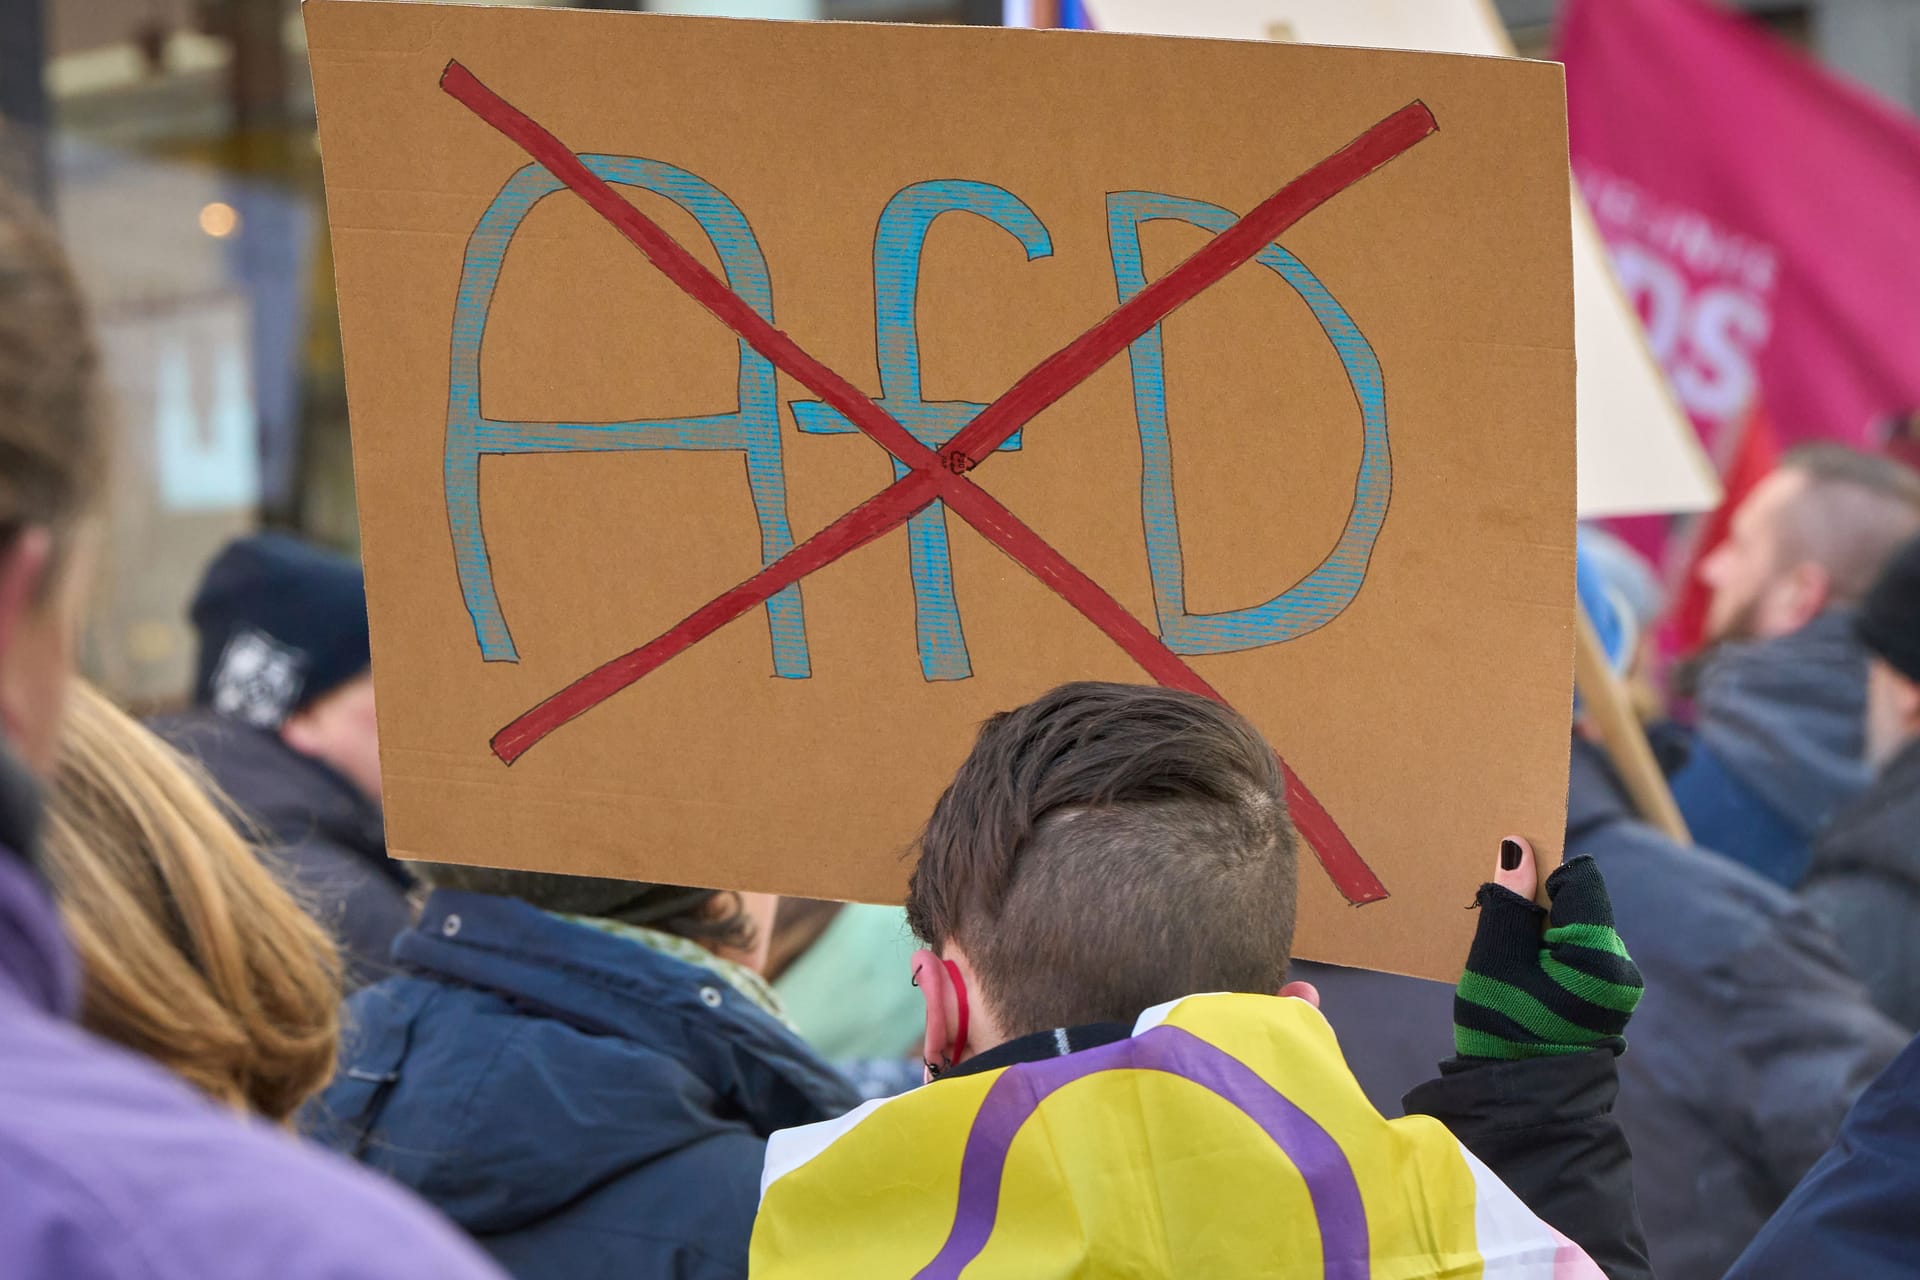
560, 1062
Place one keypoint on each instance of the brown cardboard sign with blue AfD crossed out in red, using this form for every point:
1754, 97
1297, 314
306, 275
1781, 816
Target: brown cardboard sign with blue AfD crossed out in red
715, 486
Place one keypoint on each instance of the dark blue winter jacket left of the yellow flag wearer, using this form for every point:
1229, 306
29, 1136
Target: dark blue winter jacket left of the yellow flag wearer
587, 1108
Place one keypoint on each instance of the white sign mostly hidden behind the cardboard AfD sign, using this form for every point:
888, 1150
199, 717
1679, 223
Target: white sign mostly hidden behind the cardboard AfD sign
1639, 452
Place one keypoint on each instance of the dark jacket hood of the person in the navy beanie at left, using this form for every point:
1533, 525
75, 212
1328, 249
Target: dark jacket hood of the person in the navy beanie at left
295, 797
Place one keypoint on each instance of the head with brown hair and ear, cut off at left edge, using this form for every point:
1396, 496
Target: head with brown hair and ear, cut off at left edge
53, 460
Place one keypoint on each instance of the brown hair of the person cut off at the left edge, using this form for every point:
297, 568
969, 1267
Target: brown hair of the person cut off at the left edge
53, 435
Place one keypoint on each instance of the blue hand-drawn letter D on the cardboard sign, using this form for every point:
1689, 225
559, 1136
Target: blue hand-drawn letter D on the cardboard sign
1330, 588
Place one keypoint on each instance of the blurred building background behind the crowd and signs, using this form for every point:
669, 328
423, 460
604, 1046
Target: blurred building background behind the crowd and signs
174, 141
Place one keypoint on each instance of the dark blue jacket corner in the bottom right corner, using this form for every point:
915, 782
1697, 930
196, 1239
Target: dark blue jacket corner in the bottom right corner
1854, 1216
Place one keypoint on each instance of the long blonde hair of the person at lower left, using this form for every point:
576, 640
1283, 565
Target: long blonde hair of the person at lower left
193, 953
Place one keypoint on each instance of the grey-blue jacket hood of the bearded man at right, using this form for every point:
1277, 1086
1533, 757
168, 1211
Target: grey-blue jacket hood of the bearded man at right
1787, 717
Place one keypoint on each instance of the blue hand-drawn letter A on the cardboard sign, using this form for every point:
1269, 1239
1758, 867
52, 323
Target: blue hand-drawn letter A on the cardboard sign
754, 427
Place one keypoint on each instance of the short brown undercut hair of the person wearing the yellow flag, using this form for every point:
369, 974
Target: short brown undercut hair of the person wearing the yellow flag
1107, 849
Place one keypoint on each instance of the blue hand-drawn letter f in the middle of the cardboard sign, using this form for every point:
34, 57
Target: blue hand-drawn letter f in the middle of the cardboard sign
898, 250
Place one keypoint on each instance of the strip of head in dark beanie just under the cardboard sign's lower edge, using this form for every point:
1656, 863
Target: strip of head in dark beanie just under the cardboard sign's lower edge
734, 926
